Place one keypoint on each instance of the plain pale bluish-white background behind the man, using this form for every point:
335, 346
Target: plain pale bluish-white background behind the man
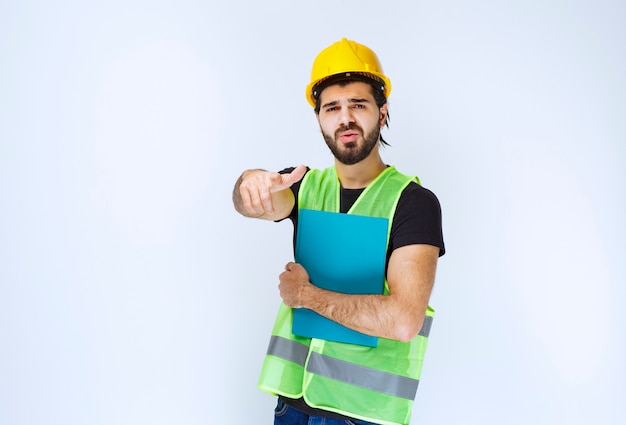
132, 293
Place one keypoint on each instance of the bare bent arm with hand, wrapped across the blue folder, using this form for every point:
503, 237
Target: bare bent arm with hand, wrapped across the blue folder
399, 315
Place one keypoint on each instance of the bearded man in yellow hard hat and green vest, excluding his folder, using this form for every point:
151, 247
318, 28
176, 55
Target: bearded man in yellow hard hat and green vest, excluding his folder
321, 381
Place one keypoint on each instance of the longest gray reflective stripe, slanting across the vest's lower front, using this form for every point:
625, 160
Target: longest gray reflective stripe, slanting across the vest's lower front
361, 376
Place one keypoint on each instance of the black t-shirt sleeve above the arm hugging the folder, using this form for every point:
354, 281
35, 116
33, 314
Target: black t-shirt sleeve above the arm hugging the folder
417, 219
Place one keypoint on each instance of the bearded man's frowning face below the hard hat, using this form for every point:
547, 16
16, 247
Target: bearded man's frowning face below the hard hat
350, 121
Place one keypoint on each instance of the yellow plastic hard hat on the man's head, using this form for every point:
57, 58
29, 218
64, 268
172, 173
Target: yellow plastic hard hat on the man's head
348, 59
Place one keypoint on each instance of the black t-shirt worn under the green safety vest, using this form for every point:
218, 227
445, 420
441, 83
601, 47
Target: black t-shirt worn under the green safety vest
417, 220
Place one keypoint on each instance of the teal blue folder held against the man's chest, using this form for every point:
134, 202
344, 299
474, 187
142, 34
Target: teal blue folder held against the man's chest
342, 253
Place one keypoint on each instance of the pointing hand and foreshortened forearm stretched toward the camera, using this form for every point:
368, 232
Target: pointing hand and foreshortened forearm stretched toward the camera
266, 194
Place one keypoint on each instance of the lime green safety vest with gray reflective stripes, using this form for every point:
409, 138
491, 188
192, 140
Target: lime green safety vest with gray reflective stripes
375, 384
